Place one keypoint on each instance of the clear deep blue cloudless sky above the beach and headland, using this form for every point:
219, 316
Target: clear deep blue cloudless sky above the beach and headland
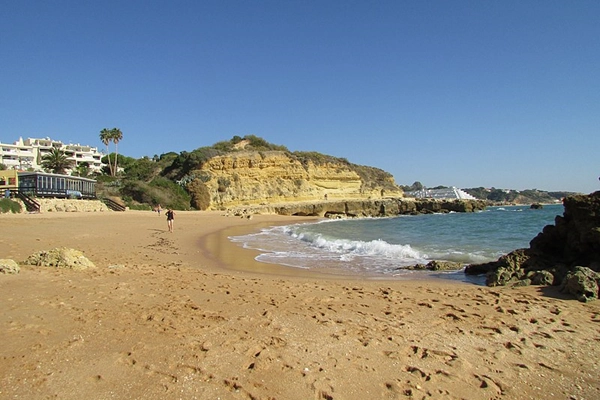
462, 93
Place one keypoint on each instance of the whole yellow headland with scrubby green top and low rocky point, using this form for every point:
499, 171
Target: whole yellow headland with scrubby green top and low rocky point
247, 180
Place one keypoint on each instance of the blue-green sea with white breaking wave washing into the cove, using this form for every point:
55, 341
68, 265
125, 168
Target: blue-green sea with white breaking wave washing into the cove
382, 248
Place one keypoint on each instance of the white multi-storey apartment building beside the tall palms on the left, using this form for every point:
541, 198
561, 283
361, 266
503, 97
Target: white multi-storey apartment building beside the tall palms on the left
27, 154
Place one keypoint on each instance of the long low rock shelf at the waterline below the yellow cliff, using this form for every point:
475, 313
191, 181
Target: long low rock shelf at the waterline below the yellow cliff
361, 208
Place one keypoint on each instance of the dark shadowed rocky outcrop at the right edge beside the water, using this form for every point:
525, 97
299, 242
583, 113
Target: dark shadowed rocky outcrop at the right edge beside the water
562, 253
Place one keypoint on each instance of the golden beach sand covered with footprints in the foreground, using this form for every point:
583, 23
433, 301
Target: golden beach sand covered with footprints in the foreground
165, 316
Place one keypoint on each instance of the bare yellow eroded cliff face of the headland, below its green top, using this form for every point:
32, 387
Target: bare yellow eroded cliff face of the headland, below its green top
270, 177
